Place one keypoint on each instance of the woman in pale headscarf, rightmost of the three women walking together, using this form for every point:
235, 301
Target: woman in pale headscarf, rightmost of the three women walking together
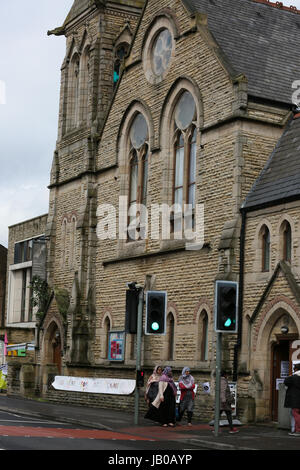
187, 396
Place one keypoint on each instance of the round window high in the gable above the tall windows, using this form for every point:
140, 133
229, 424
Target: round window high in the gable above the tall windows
161, 53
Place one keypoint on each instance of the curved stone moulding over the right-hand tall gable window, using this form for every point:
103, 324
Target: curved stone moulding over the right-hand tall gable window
182, 84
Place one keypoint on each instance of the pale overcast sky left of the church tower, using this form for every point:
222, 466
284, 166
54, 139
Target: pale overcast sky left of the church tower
30, 64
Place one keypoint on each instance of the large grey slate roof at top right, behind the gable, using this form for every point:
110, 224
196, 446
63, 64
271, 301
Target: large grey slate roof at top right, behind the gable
258, 40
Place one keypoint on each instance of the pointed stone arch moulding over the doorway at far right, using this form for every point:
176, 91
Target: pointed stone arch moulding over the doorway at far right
272, 312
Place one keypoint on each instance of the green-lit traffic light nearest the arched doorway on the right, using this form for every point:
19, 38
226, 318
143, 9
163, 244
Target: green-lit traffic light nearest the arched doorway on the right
226, 302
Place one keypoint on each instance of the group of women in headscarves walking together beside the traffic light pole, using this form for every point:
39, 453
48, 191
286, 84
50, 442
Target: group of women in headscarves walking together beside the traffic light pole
161, 392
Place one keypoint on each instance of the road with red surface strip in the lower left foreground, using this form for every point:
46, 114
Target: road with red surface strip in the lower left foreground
24, 433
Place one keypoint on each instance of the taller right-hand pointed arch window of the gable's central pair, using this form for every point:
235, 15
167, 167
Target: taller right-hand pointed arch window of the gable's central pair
185, 150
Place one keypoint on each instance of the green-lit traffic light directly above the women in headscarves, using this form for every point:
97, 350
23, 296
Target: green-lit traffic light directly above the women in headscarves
156, 305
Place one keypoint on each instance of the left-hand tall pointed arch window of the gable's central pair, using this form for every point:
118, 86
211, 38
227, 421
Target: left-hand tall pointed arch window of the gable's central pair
138, 173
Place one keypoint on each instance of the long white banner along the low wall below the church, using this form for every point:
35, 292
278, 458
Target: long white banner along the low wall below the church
94, 385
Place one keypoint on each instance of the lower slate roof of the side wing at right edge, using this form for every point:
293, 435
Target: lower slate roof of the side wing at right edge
280, 179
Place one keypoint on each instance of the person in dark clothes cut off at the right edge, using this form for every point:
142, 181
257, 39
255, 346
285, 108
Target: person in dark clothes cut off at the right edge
292, 398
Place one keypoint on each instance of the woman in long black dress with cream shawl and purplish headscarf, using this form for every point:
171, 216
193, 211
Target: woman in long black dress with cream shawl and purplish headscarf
163, 407
